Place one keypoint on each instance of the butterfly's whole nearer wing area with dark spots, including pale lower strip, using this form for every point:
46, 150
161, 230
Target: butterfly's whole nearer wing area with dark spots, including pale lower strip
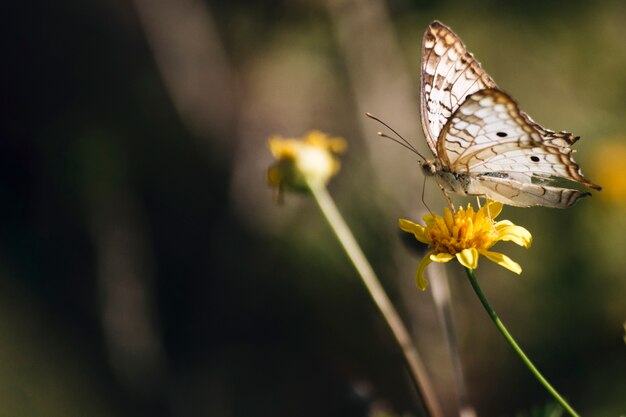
510, 157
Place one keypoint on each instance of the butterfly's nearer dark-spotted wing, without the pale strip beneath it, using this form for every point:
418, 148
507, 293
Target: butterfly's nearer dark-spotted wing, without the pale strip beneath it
489, 134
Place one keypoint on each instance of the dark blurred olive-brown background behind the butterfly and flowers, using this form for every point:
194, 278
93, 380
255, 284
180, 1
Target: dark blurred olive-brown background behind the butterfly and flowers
146, 271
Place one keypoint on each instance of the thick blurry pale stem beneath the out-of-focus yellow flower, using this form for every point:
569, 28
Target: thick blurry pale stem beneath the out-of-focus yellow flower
399, 330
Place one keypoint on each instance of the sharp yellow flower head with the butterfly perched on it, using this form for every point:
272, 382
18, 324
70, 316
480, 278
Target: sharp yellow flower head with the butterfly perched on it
465, 235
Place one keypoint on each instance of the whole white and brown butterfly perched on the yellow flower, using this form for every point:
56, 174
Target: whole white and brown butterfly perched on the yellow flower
483, 144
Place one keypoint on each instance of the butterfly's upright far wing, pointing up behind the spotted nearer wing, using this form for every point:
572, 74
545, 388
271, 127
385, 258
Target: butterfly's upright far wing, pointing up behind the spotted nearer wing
448, 75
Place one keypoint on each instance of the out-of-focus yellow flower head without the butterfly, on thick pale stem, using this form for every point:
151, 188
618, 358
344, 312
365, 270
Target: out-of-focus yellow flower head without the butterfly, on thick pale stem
303, 162
